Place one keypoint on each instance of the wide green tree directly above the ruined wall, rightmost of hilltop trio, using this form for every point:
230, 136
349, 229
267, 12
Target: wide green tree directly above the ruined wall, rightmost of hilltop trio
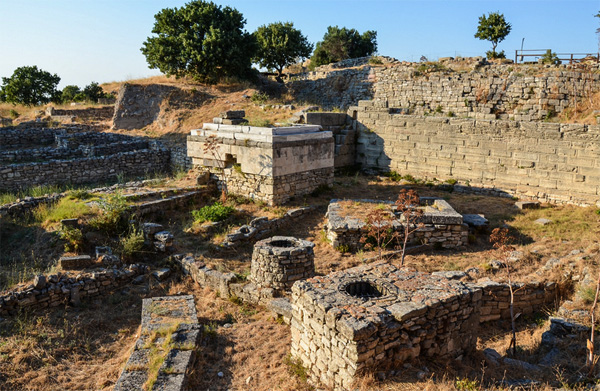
341, 43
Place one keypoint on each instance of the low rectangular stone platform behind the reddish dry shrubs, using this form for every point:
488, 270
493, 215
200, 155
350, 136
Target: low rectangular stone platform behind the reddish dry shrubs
442, 225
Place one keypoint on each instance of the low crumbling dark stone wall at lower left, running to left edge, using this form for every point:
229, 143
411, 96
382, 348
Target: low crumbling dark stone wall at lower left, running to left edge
53, 290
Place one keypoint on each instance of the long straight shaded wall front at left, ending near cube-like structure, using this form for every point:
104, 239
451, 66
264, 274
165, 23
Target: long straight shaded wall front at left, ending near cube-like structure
86, 170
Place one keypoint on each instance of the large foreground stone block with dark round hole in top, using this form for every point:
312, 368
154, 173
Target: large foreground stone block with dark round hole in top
377, 317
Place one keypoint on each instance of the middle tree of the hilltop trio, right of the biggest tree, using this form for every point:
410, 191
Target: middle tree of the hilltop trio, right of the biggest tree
279, 45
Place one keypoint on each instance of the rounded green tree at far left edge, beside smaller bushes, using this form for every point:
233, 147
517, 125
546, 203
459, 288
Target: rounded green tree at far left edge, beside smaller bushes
30, 86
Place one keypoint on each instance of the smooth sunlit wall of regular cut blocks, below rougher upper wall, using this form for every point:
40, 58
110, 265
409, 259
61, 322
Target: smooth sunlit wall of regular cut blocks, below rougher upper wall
546, 161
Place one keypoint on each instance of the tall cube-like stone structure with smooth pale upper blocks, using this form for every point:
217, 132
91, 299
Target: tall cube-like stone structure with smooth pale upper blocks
268, 164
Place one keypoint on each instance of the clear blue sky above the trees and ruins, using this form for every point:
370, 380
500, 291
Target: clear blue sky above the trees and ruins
100, 40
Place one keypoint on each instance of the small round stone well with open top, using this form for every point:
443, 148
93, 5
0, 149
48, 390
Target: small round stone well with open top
279, 261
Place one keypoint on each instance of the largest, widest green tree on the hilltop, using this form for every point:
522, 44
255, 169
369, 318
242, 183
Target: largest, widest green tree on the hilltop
201, 40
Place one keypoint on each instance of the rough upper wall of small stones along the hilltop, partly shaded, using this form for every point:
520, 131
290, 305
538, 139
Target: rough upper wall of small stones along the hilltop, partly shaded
463, 88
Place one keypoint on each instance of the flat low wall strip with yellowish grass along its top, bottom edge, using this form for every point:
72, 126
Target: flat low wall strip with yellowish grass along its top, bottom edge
172, 319
